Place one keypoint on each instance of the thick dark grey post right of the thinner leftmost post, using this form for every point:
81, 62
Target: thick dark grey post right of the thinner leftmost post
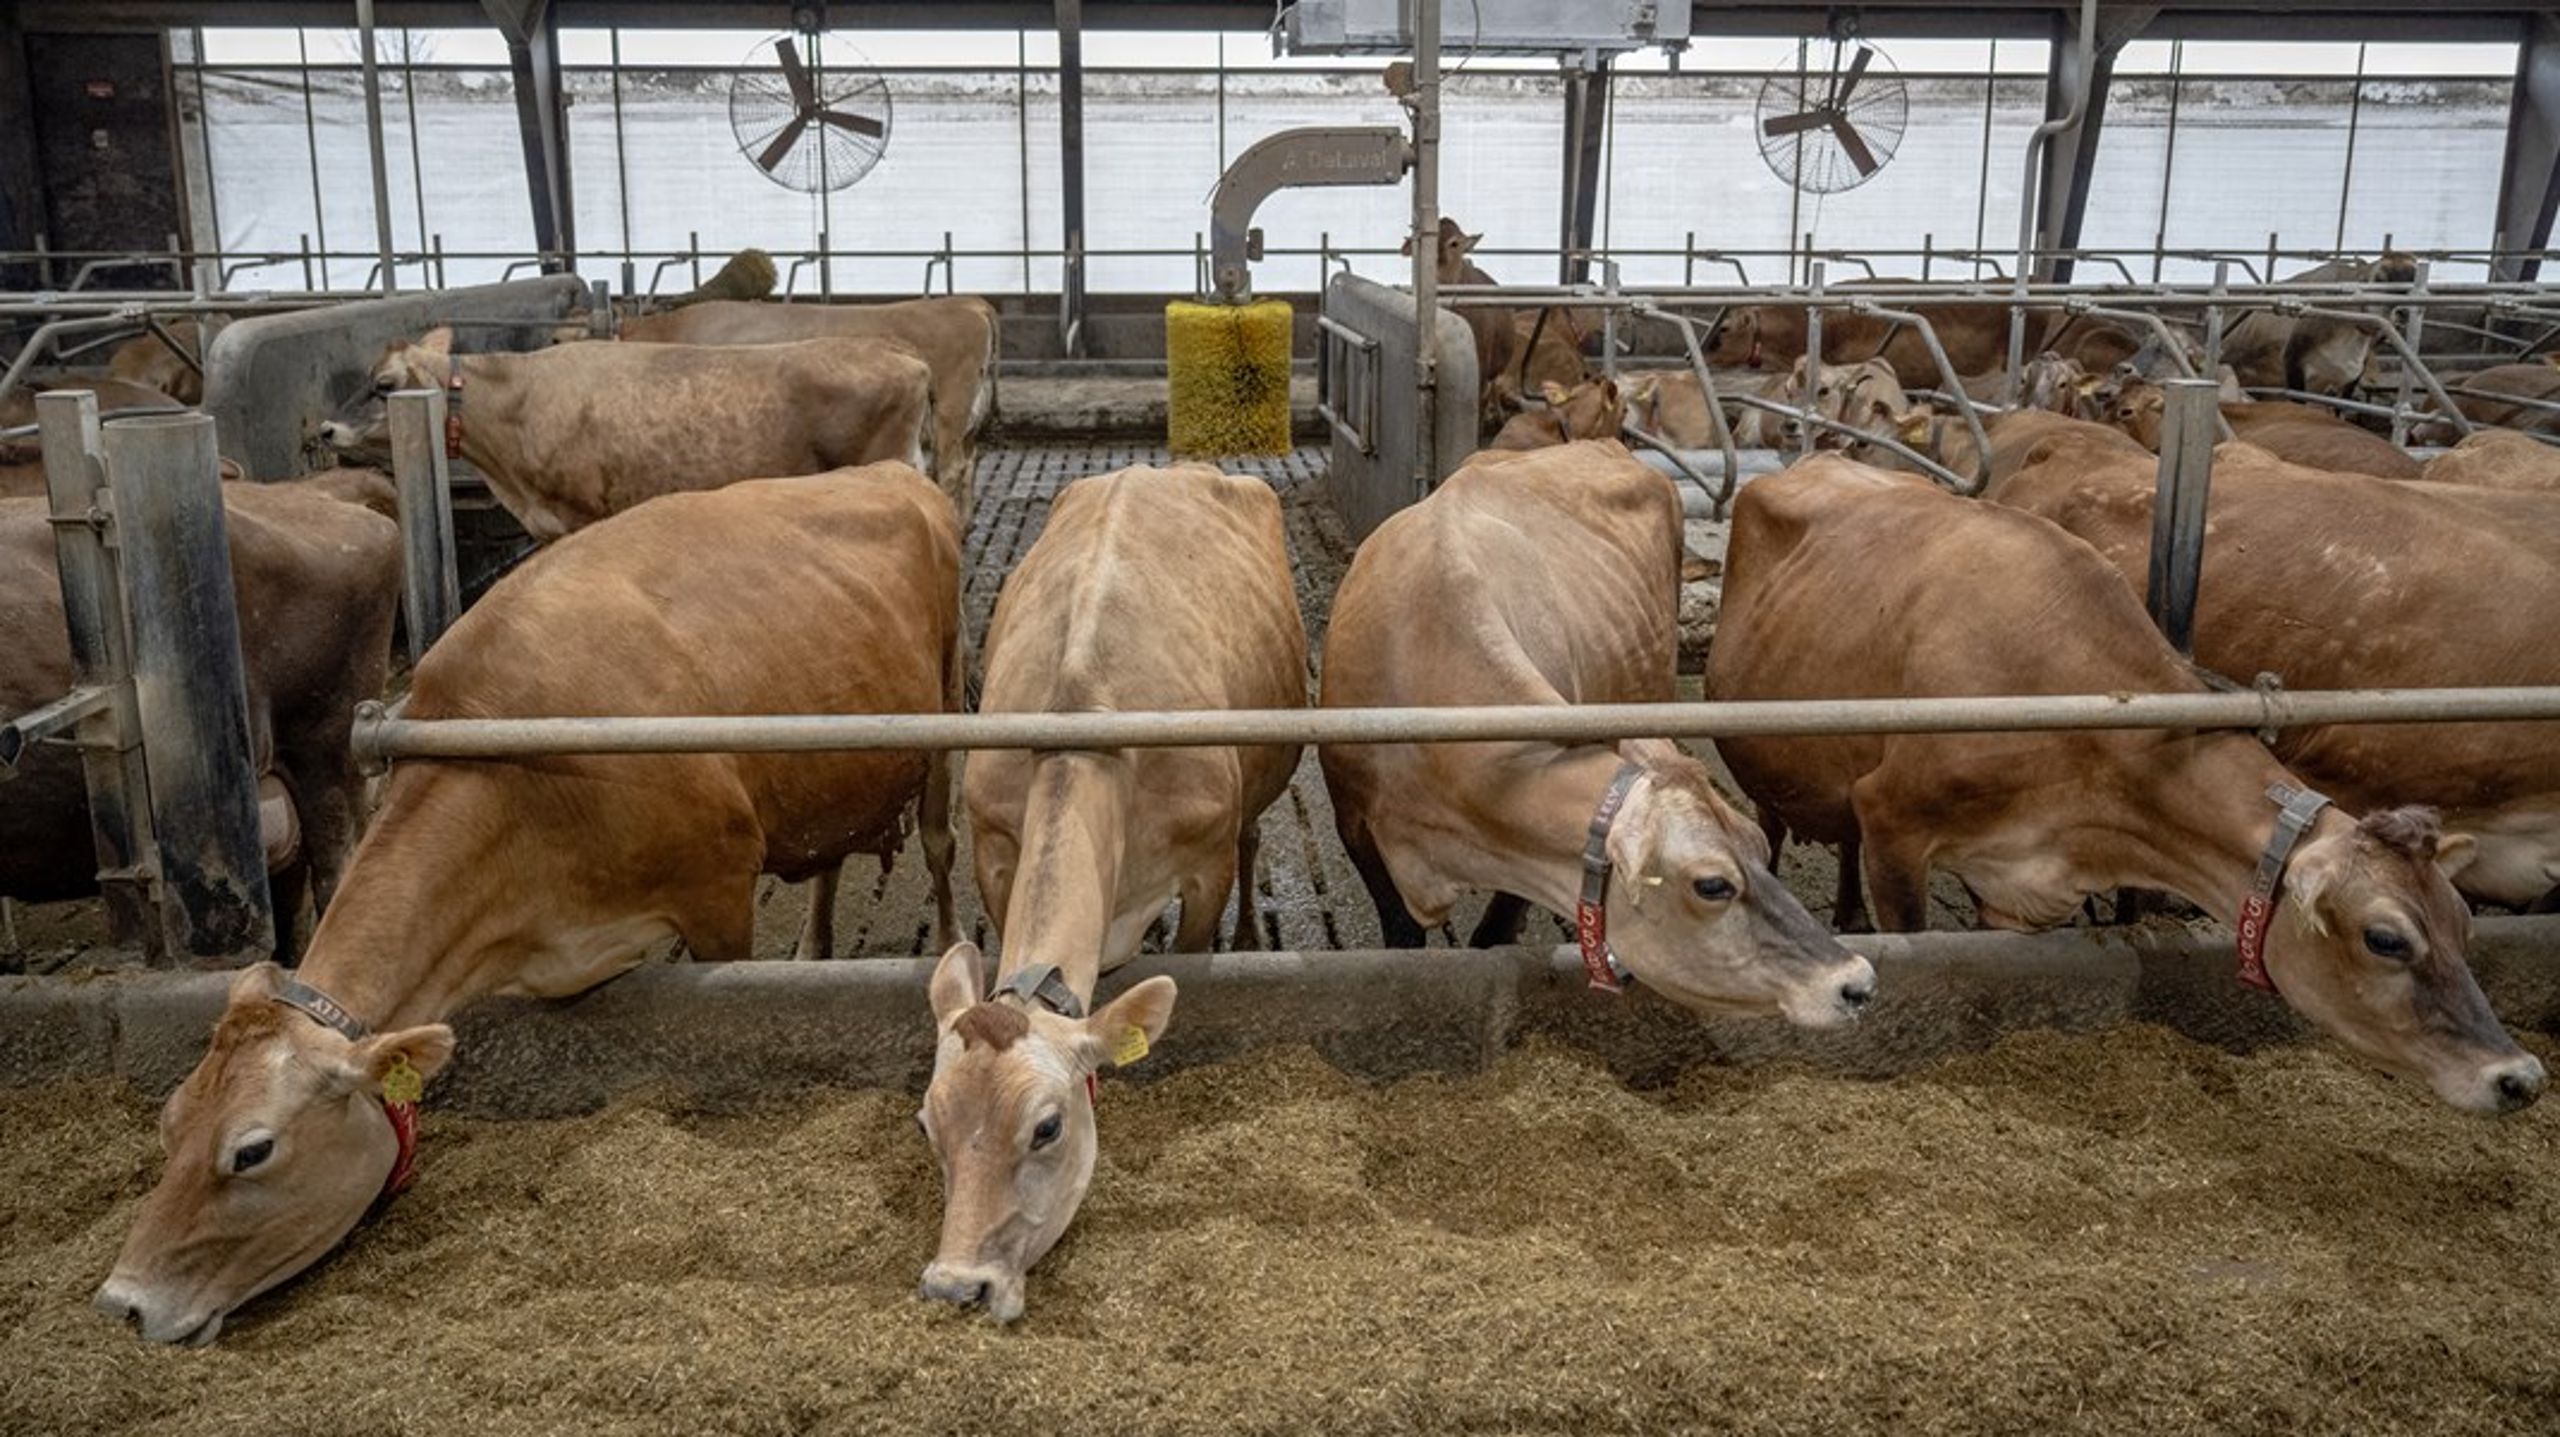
168, 483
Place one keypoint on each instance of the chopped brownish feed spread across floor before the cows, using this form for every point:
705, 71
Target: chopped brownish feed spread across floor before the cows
2121, 1233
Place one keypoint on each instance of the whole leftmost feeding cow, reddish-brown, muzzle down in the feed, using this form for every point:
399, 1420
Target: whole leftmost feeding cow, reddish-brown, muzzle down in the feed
547, 877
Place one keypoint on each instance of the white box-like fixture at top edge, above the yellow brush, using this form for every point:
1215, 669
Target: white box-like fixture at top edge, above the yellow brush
1486, 27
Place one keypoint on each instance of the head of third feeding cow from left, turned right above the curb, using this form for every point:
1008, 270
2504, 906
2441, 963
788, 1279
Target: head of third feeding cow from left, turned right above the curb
1696, 913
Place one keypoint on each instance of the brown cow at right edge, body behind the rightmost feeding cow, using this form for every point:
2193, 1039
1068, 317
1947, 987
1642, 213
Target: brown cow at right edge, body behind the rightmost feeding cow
2351, 583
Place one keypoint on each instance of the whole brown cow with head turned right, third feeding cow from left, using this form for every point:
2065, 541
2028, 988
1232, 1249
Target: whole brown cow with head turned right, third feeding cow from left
1553, 578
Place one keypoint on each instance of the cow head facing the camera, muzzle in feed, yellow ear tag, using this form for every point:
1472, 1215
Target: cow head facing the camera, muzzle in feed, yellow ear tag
1010, 1116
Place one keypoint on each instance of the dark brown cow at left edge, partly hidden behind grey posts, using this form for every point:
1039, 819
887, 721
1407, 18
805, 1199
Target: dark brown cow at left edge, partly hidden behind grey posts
316, 583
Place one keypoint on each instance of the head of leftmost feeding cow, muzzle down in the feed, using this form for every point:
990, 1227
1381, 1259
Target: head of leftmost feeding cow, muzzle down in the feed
275, 1149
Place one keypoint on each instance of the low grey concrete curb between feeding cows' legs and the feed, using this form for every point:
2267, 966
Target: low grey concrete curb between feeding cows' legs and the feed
726, 1036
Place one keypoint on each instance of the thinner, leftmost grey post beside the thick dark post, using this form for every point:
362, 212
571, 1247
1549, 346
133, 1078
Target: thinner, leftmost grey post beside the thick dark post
93, 611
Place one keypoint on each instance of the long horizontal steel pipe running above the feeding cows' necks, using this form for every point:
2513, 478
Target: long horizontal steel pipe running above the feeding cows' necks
383, 739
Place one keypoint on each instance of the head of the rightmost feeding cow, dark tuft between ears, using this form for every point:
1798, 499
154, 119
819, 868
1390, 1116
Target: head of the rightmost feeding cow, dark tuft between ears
2369, 944
